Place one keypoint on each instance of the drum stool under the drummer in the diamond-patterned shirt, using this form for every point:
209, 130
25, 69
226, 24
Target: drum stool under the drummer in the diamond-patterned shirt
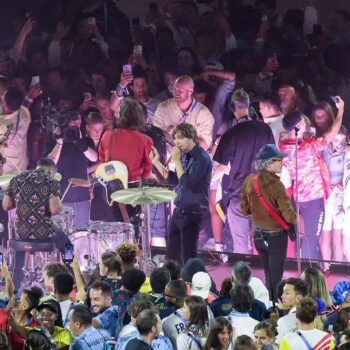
32, 273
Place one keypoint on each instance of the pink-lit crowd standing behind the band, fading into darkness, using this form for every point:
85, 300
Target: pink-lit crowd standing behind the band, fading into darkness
215, 66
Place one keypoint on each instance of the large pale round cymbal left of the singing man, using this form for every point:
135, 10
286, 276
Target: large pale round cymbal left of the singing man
144, 195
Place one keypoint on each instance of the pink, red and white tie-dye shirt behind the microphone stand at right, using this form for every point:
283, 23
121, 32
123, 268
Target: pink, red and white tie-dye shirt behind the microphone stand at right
311, 169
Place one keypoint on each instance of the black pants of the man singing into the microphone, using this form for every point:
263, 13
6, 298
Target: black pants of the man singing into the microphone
183, 235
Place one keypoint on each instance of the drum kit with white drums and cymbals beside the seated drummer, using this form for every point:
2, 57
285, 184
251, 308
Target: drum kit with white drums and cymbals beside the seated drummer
100, 236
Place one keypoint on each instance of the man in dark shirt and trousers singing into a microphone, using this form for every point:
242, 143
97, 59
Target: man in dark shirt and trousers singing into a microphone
192, 177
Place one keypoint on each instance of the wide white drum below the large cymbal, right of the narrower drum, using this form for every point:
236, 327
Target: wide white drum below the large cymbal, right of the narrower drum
111, 234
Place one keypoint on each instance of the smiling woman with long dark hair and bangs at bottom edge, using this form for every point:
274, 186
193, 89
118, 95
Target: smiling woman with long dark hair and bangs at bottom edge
220, 335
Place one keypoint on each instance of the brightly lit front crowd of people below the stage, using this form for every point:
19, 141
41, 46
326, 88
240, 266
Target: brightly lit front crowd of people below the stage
118, 307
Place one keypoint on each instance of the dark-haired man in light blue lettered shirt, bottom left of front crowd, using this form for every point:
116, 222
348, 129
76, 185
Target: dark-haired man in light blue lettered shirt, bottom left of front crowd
86, 336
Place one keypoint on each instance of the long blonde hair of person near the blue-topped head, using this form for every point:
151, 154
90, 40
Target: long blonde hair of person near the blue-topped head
317, 285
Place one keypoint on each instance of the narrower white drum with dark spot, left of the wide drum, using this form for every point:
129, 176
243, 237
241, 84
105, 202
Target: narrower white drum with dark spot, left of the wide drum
85, 244
